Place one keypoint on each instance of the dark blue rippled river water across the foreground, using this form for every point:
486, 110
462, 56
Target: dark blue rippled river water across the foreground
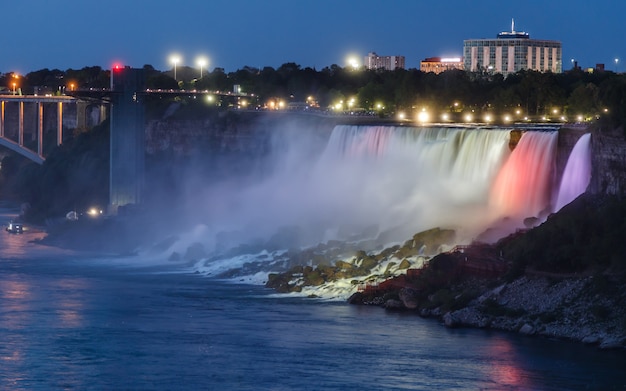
80, 322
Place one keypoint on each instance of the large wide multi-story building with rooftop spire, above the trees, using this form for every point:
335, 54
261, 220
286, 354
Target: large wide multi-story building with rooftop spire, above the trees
511, 52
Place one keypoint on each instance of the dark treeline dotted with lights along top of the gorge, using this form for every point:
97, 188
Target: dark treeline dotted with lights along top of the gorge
574, 94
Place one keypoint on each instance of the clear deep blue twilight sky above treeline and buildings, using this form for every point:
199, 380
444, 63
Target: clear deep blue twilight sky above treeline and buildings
64, 34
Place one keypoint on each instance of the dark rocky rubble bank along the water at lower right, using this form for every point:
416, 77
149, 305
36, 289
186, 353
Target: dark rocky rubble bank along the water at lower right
587, 309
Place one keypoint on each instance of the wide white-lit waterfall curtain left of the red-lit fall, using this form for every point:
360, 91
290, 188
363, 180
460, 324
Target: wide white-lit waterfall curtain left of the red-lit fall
415, 178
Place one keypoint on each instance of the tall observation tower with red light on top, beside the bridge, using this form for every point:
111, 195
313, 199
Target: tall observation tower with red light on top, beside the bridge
127, 158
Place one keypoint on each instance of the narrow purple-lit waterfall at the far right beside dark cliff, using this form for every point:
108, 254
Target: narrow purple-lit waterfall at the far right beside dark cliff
577, 172
